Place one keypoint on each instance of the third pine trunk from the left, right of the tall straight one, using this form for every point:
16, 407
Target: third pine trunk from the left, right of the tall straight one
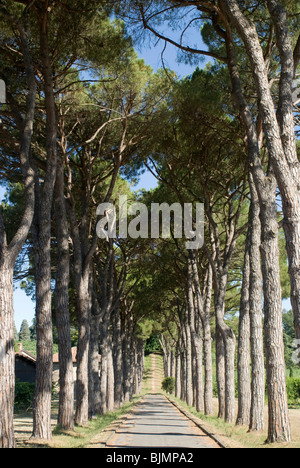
66, 378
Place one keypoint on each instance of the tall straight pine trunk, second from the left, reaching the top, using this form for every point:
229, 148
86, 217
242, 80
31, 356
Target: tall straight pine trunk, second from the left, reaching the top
42, 241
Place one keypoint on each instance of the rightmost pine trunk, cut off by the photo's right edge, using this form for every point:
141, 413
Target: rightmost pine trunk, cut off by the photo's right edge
285, 117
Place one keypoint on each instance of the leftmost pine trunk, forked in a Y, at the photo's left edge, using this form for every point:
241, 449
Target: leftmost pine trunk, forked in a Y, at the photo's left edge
8, 257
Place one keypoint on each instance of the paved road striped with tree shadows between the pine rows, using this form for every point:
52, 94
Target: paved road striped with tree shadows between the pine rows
157, 423
